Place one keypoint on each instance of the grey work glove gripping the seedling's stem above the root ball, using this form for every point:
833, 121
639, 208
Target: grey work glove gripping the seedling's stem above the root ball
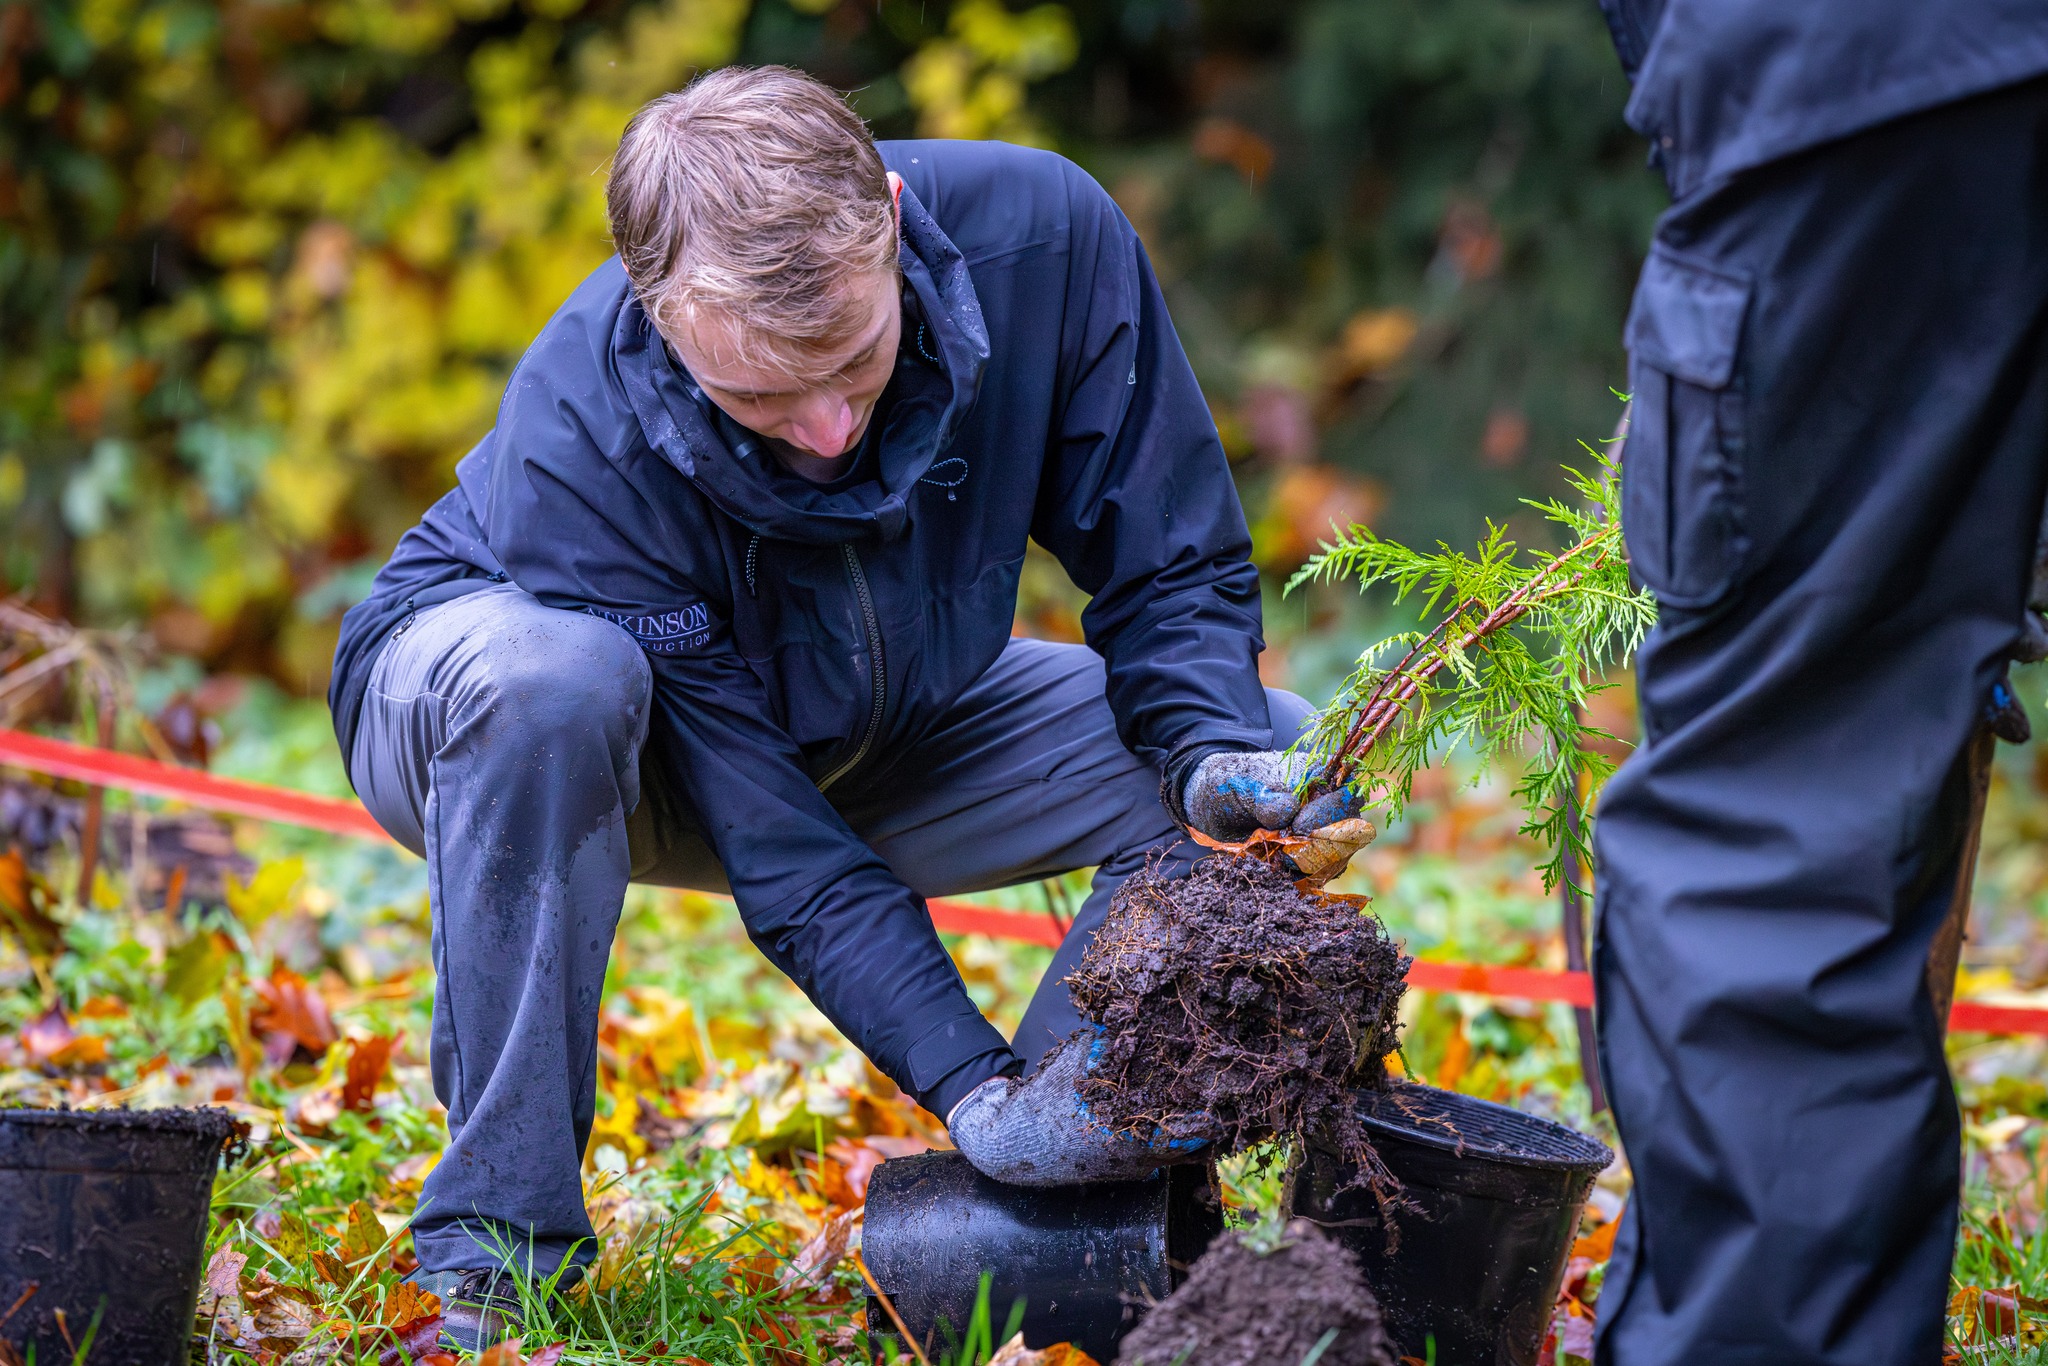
1238, 792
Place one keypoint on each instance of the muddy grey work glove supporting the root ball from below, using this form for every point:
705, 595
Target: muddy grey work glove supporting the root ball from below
1041, 1134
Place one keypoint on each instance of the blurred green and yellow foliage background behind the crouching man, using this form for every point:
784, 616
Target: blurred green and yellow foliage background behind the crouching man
267, 263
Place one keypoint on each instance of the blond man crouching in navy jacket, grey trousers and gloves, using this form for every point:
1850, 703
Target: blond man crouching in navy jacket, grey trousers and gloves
726, 599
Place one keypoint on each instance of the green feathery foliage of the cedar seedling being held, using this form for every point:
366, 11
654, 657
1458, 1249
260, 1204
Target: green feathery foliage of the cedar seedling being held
1521, 642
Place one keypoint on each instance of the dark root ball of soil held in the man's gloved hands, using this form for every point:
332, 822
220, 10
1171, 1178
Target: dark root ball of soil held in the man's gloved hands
1240, 1009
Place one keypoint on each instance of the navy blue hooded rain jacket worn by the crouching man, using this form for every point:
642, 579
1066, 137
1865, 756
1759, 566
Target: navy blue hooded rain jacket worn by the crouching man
802, 636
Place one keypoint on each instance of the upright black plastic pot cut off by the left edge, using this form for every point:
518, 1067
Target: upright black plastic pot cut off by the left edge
105, 1213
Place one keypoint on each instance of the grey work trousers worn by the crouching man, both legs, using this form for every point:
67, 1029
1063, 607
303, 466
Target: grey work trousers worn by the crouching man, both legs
503, 742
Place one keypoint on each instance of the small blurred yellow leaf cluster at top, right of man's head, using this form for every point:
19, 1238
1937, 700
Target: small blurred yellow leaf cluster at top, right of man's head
972, 83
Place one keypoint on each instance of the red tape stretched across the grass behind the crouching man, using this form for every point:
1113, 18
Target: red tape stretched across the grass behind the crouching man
347, 818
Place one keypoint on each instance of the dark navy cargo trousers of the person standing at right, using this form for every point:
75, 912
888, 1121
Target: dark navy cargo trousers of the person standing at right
1834, 482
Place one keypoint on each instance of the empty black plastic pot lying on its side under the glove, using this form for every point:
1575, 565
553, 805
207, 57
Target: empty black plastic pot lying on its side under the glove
1084, 1261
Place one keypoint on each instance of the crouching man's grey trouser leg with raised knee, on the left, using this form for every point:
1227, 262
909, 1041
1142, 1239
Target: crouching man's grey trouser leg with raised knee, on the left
501, 742
